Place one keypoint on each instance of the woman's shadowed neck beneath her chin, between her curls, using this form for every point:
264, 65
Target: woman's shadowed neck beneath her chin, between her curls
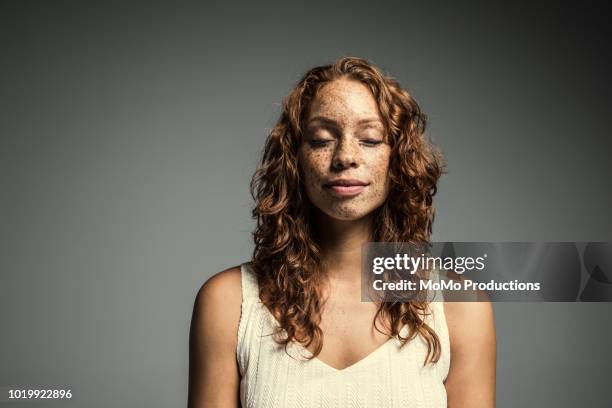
341, 243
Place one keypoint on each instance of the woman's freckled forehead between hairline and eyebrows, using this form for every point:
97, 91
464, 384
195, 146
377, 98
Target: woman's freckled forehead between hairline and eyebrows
345, 101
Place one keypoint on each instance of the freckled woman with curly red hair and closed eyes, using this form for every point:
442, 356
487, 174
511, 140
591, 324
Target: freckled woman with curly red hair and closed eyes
347, 163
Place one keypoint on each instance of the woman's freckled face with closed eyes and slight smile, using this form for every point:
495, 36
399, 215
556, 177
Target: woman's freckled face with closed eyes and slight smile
343, 157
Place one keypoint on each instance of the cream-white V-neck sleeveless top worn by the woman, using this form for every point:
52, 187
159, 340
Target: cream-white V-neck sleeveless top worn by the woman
388, 377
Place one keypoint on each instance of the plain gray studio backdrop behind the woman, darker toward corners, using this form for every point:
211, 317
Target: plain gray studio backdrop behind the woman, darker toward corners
129, 135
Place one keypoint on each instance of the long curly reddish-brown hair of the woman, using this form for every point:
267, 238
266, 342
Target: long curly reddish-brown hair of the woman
287, 257
